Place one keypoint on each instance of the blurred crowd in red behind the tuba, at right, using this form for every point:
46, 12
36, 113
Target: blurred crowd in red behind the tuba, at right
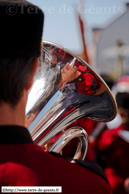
110, 141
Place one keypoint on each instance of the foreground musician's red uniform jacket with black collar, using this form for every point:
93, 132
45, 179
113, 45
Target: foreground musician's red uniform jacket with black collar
22, 163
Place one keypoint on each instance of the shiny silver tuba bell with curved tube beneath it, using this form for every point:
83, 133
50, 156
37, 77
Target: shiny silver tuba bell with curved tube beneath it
65, 89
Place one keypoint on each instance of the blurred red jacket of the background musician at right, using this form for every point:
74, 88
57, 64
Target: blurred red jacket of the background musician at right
114, 147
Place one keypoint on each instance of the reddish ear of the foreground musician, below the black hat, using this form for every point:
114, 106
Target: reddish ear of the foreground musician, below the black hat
34, 66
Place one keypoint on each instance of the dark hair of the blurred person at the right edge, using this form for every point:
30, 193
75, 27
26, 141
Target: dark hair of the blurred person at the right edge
122, 100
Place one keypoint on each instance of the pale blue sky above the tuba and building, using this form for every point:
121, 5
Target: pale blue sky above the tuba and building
61, 24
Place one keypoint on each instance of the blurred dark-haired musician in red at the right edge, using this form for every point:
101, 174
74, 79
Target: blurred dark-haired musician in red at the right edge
113, 149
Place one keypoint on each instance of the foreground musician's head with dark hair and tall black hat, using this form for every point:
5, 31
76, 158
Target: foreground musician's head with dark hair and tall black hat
20, 43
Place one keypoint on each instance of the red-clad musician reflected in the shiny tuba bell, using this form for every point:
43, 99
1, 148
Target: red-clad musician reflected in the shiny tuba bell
84, 81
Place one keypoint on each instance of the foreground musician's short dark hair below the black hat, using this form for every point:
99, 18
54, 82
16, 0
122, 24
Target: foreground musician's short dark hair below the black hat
13, 78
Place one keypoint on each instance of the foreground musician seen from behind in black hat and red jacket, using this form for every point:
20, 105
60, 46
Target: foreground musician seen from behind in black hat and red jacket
23, 163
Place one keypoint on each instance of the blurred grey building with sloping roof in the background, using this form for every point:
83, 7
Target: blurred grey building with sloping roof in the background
112, 46
